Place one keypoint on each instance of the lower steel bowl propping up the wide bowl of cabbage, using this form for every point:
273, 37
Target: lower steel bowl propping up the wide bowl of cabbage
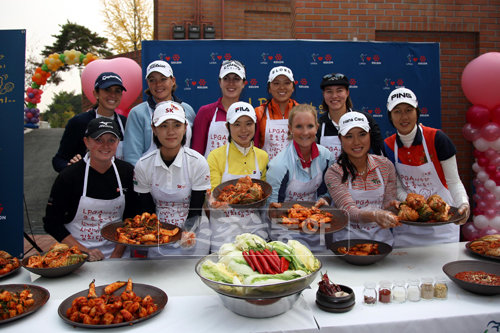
260, 308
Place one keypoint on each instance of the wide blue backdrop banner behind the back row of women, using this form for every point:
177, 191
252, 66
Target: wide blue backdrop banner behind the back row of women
374, 69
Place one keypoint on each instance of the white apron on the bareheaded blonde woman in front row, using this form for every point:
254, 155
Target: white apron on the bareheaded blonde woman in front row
297, 190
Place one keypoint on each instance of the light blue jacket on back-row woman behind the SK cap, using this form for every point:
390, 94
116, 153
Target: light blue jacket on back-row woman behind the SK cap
138, 132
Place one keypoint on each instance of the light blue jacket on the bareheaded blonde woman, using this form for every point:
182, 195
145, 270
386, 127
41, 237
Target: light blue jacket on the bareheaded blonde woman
284, 165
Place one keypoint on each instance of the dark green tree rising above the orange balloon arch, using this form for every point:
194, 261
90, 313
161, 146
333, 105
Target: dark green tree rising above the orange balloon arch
75, 37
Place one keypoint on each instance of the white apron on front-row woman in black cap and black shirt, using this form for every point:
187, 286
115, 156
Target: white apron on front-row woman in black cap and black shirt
93, 214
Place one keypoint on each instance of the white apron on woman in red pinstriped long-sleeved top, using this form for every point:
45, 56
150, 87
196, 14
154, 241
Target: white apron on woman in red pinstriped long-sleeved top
371, 230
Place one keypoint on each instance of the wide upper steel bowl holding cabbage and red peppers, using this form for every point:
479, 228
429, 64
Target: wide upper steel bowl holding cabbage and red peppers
249, 292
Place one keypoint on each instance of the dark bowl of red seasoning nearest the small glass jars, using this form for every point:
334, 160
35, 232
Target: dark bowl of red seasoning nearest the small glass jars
455, 267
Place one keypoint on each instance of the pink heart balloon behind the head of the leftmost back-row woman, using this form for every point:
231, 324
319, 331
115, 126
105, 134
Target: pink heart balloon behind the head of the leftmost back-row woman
129, 71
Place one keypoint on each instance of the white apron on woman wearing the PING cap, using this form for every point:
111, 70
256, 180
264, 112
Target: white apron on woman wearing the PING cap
423, 179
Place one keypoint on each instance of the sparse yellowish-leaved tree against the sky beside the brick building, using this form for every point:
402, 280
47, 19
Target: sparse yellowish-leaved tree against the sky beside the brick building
128, 23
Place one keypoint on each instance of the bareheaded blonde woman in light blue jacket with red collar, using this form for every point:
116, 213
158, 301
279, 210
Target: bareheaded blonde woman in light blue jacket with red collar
296, 173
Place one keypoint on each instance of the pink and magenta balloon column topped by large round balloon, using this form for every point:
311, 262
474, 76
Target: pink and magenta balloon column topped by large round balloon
480, 82
